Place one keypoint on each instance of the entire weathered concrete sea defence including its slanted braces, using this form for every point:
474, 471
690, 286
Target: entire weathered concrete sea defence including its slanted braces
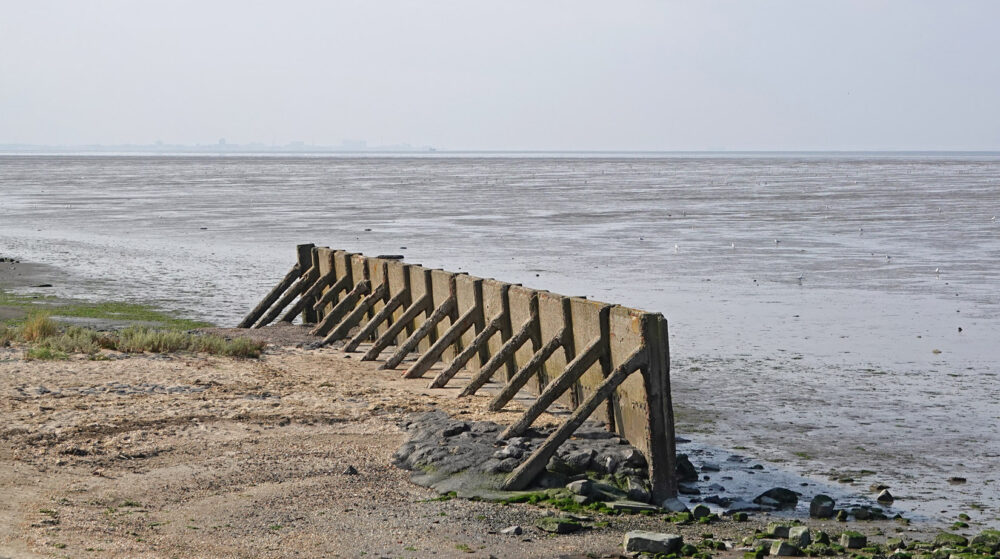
602, 361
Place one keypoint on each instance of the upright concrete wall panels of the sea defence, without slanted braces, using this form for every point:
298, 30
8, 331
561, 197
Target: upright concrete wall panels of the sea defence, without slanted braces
639, 409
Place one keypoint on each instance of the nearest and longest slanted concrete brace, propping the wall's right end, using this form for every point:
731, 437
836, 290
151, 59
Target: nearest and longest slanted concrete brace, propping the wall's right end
522, 476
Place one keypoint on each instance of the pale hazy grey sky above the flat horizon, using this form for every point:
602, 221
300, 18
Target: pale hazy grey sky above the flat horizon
643, 75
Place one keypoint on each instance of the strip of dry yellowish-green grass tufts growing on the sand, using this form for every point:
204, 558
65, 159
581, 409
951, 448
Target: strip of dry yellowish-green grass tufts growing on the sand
47, 341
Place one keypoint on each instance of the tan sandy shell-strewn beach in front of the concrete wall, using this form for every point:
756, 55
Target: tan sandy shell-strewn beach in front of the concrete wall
165, 455
